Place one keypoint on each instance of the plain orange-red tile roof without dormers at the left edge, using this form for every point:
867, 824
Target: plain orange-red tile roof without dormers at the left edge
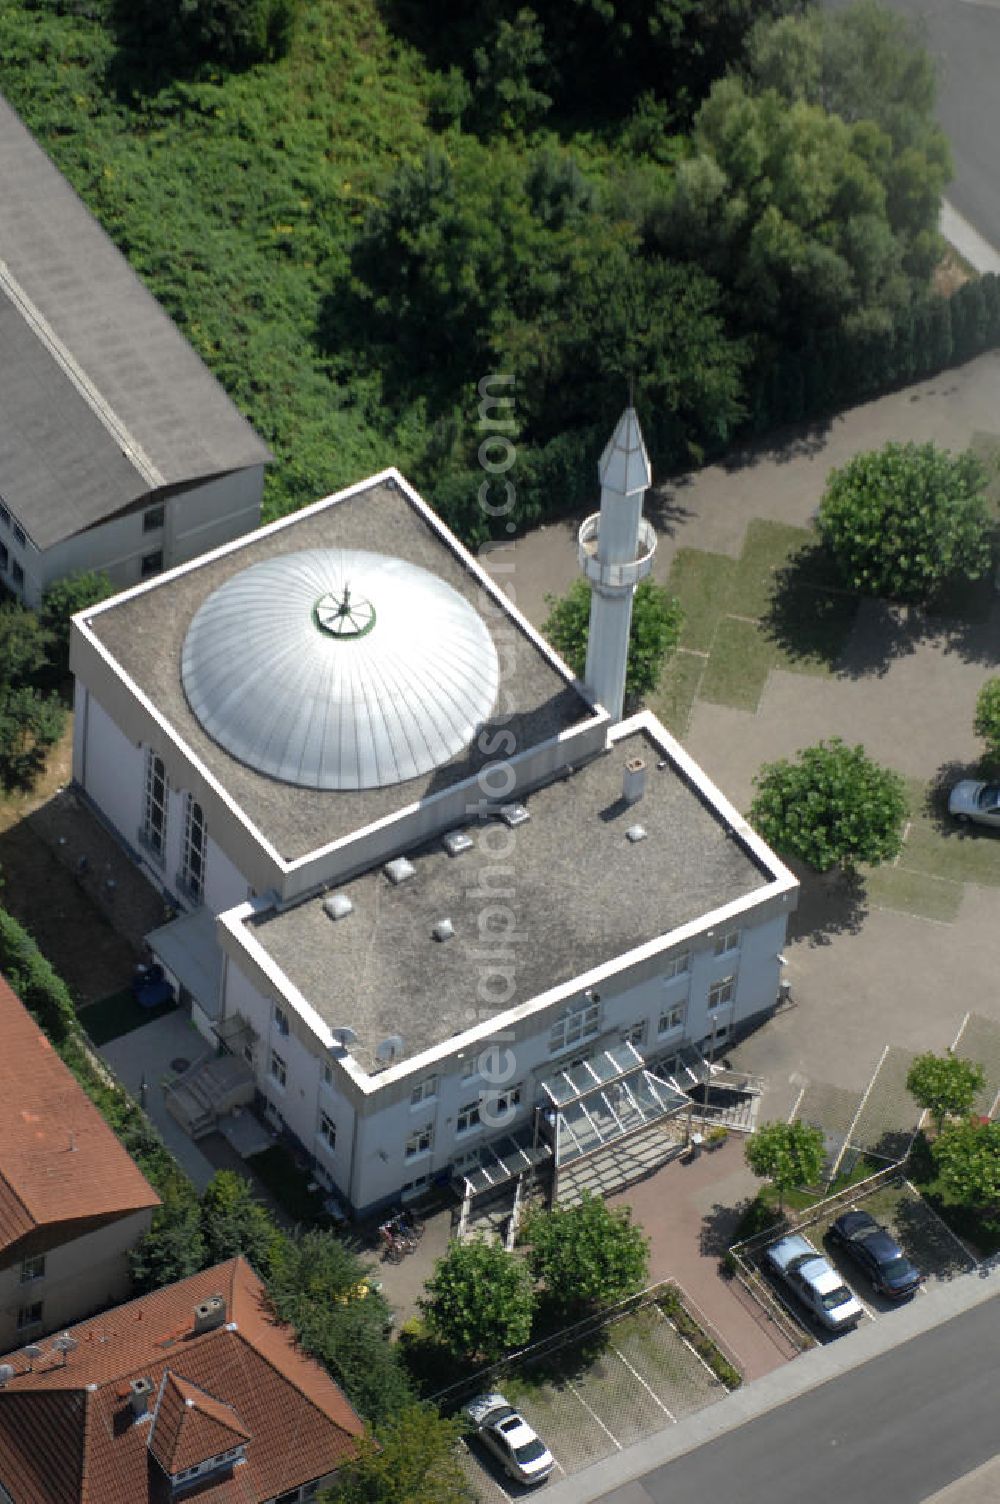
59, 1160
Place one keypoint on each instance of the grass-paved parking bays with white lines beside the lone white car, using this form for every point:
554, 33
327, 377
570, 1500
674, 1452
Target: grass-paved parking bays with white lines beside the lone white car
592, 1402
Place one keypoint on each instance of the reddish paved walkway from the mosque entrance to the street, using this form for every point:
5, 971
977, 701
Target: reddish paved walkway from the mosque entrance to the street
689, 1210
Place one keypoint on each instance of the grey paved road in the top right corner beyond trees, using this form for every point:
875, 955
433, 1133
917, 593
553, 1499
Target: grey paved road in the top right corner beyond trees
965, 38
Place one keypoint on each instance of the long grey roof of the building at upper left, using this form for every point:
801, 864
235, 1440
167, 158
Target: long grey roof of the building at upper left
103, 398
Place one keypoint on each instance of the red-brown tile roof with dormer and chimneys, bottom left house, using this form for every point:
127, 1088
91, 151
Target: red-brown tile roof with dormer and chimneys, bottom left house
68, 1434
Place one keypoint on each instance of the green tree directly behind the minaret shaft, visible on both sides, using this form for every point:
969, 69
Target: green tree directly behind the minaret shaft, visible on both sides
656, 628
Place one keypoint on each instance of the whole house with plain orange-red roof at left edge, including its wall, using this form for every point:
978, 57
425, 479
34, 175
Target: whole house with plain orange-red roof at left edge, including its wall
73, 1202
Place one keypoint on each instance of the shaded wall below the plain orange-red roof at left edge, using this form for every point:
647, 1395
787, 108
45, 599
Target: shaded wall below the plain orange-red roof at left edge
80, 1276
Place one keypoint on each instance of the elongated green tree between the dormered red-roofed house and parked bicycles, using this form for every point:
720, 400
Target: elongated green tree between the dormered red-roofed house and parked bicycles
326, 1293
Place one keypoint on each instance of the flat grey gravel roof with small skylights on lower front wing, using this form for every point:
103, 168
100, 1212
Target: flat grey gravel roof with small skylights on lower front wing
571, 893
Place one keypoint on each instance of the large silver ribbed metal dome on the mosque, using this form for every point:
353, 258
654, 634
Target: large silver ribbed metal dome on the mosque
338, 669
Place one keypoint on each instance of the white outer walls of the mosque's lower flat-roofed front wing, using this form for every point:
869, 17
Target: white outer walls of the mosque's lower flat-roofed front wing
374, 1129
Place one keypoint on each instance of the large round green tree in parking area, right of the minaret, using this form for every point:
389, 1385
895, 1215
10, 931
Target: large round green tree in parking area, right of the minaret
905, 521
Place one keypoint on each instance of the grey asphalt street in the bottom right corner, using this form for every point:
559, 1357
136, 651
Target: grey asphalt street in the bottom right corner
891, 1433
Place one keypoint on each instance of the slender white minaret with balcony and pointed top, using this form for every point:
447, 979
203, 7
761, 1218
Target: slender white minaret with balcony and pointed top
616, 553
